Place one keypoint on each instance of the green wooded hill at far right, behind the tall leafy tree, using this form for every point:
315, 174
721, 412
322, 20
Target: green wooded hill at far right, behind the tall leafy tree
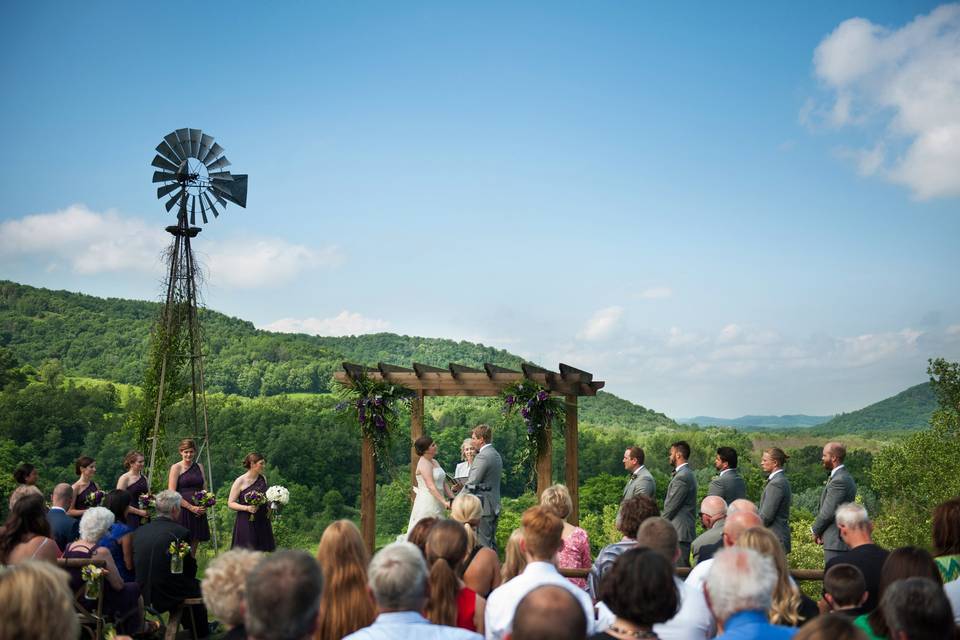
909, 409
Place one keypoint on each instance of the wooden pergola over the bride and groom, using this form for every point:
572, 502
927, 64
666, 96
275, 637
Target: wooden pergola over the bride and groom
459, 380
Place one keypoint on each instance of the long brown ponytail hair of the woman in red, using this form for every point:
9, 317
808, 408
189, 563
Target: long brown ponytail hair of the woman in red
446, 551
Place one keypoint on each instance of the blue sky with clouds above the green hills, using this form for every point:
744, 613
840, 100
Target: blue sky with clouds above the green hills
717, 208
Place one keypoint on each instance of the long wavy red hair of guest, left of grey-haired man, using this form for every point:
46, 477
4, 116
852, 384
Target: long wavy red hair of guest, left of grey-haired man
345, 605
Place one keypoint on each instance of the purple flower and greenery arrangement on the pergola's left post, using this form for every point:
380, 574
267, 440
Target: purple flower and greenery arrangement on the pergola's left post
376, 404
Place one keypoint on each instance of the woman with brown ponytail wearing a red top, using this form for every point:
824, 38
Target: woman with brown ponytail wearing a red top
451, 602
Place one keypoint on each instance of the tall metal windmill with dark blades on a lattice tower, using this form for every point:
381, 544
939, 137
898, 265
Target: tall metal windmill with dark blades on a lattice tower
191, 168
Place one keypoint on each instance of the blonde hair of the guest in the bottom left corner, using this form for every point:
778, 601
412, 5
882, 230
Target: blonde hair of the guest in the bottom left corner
37, 602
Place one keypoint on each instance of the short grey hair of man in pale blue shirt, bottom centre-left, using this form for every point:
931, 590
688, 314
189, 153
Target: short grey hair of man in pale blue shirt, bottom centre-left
398, 577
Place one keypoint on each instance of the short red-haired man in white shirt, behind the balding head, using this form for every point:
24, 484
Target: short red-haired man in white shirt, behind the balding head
541, 540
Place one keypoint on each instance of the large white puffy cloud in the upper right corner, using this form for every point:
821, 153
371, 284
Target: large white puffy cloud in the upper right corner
902, 86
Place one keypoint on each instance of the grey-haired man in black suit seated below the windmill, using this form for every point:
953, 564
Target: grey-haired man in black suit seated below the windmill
162, 589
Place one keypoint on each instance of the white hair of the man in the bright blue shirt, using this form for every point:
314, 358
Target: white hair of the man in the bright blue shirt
740, 579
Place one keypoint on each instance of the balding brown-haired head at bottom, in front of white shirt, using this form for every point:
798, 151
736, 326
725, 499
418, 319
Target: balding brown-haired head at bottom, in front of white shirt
549, 613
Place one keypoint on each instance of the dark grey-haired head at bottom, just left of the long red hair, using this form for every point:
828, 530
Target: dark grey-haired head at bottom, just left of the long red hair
283, 596
